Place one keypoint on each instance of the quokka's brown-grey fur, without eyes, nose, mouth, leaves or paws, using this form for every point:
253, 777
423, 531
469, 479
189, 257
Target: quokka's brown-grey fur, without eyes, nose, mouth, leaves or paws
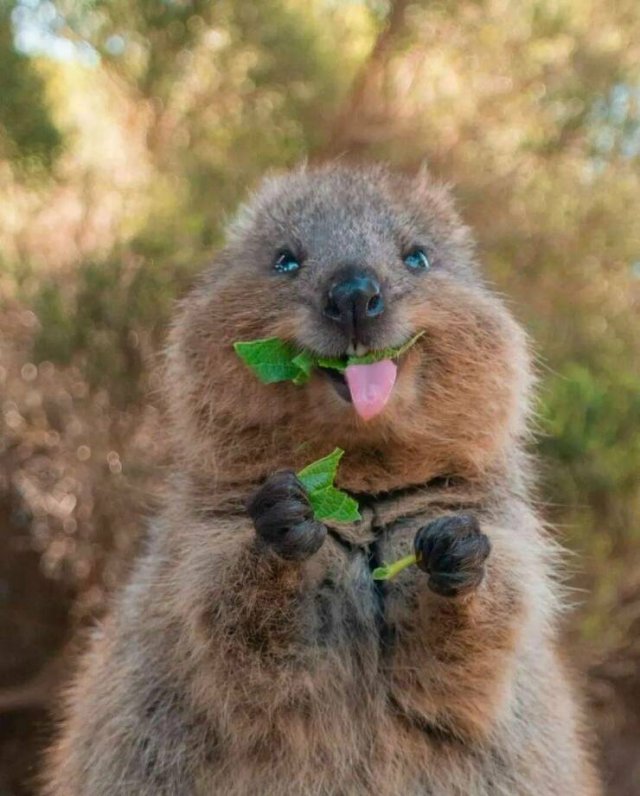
226, 669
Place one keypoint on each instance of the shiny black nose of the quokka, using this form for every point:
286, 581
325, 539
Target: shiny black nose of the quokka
354, 300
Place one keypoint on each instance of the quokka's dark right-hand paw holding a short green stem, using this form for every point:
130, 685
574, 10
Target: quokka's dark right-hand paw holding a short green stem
452, 551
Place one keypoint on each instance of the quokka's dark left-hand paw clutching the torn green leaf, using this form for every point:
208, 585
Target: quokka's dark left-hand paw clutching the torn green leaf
283, 517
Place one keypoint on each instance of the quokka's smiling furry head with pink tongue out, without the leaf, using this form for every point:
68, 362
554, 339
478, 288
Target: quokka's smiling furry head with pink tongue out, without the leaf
341, 261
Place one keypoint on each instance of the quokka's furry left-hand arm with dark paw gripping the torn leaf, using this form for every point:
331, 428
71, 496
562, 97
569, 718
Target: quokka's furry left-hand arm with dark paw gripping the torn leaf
249, 584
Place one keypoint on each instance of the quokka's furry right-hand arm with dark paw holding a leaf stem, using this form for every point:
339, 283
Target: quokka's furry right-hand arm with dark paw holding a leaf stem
472, 600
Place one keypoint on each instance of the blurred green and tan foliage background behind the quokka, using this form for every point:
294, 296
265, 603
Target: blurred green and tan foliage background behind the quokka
129, 131
